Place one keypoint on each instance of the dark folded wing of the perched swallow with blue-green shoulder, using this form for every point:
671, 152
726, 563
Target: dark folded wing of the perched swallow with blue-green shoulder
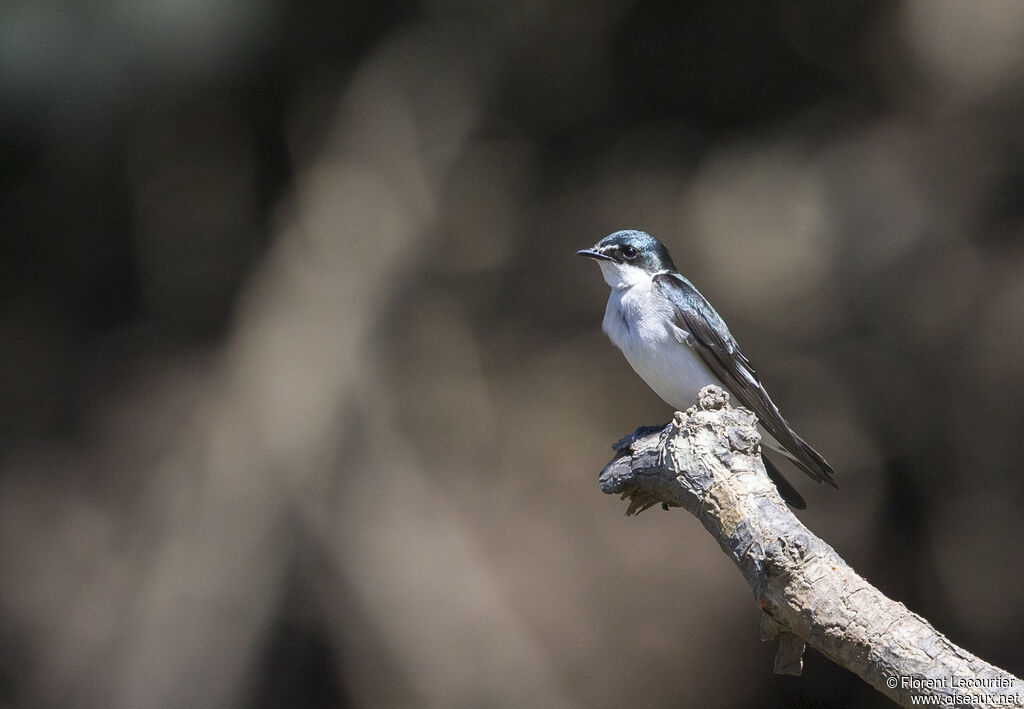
703, 329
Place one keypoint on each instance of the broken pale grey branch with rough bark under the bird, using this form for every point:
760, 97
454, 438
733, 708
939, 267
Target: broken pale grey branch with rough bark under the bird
708, 461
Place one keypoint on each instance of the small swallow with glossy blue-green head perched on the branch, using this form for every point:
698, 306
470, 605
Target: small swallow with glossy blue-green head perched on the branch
678, 344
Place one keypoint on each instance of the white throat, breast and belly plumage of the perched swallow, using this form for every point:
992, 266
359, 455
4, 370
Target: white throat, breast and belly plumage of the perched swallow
641, 322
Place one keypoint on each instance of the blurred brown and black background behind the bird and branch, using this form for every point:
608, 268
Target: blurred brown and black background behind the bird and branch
306, 395
